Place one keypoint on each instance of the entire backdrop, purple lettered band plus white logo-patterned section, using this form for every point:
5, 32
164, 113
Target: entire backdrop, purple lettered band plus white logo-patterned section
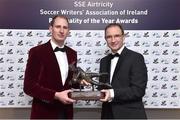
151, 31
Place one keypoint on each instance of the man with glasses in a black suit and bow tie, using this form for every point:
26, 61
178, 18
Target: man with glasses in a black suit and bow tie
127, 75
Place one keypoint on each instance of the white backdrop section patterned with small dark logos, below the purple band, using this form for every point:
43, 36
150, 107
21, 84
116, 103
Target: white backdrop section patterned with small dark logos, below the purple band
160, 49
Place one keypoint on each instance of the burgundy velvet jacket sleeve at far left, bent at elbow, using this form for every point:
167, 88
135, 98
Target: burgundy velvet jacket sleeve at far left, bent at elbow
31, 85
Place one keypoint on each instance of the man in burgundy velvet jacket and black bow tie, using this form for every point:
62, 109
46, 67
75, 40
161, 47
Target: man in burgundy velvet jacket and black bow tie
47, 74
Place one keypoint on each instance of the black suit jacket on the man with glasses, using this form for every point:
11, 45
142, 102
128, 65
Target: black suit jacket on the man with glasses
129, 84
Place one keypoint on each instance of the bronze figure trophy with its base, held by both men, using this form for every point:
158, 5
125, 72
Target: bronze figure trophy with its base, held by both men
83, 78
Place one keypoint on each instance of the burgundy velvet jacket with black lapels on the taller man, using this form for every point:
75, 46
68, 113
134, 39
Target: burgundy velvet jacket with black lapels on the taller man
43, 79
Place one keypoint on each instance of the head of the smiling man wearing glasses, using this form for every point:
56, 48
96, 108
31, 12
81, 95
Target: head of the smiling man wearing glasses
114, 38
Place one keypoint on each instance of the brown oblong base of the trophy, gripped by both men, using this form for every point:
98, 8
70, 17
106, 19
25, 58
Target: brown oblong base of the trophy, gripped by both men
86, 95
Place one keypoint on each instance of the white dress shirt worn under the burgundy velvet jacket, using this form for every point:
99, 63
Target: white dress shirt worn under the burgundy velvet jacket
62, 62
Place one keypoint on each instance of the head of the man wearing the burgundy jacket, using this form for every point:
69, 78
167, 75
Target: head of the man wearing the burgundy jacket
59, 30
